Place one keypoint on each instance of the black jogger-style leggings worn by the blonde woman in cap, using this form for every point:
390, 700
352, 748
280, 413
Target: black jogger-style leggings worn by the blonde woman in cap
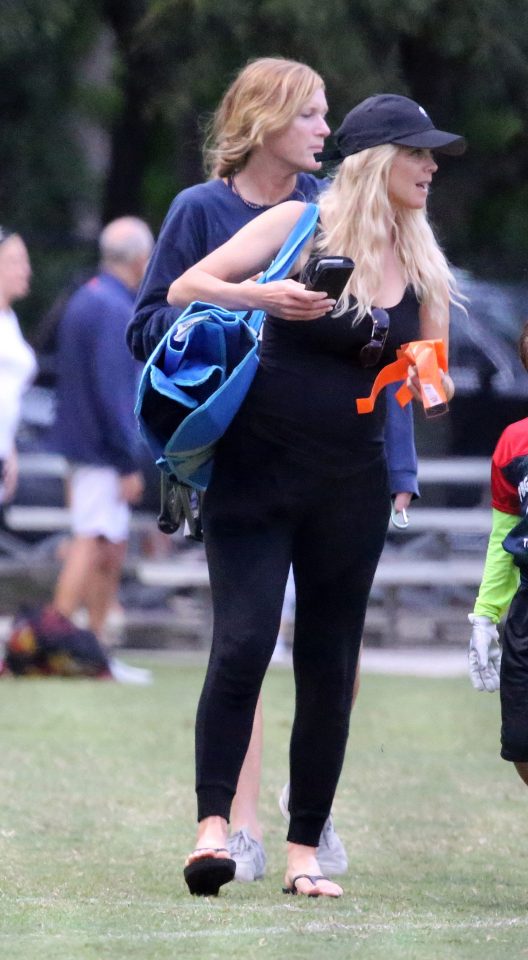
261, 513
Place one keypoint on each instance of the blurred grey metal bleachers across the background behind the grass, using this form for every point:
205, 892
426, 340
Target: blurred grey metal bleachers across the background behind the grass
439, 556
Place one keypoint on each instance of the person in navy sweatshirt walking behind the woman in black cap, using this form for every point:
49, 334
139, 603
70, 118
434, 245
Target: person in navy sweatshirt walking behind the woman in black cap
251, 171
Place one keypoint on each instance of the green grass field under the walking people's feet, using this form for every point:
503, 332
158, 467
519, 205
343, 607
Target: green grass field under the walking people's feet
97, 815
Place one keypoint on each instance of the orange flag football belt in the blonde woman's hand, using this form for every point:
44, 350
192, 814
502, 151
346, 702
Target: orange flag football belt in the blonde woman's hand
429, 357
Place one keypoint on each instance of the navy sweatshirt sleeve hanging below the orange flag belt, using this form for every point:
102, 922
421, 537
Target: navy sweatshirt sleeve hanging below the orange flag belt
399, 445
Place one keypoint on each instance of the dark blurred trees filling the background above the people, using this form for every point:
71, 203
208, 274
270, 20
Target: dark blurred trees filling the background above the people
103, 102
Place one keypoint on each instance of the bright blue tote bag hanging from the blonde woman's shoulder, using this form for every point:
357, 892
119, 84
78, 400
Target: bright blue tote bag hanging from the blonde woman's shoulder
198, 375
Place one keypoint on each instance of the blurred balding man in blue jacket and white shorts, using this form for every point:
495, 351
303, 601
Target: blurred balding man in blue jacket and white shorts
95, 427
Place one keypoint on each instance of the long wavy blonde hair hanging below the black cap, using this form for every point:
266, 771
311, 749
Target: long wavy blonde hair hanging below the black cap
355, 216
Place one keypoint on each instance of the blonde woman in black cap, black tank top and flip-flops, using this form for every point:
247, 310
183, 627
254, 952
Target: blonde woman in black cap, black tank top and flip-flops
300, 478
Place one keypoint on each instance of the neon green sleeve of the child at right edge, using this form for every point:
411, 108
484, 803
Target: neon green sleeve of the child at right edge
501, 577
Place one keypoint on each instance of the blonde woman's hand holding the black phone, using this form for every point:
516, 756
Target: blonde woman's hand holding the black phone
287, 299
